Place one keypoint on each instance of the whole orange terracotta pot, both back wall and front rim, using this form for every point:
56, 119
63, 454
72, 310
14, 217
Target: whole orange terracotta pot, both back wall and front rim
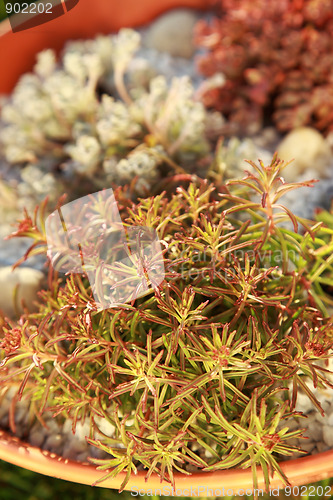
18, 52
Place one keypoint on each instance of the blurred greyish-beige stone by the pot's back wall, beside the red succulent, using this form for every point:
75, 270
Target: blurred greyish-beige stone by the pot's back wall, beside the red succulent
173, 33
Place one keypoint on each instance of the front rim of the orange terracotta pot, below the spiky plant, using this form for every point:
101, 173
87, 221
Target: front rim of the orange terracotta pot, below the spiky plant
300, 471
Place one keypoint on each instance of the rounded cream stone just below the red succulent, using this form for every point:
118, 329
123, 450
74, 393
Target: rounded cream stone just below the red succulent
309, 150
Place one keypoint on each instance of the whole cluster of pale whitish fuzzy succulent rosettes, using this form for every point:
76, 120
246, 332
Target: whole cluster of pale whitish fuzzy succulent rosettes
56, 114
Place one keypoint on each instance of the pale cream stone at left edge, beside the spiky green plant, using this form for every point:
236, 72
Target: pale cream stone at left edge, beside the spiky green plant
28, 282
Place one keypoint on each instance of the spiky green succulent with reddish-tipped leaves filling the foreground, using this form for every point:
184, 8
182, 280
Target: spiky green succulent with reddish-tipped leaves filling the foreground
196, 373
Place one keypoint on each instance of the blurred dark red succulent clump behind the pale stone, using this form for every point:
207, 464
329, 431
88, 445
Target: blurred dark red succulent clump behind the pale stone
277, 58
